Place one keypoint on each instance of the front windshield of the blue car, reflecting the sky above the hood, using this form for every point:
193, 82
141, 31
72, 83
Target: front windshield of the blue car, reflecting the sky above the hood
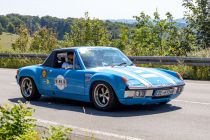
103, 57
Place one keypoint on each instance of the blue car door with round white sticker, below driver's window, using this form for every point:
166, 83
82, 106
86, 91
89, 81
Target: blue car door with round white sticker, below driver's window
67, 82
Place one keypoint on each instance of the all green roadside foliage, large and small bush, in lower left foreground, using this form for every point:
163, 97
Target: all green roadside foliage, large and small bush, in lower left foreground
16, 124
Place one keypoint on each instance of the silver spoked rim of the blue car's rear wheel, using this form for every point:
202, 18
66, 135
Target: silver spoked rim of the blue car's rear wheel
26, 87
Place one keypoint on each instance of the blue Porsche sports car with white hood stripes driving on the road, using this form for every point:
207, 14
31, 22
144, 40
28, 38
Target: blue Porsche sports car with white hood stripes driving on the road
101, 75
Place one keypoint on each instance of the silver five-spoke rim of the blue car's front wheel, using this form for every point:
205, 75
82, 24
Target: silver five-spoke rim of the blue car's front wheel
101, 95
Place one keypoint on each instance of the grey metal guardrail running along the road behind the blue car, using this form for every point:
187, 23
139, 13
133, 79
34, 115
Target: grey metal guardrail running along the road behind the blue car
159, 60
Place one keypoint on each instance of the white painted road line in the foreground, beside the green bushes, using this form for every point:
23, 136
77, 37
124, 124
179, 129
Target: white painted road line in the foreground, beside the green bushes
88, 130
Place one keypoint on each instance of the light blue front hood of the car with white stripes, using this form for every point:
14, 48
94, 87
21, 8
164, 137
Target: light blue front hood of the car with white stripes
138, 76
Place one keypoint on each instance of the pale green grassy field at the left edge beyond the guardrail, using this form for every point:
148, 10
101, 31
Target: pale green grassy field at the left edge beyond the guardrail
6, 40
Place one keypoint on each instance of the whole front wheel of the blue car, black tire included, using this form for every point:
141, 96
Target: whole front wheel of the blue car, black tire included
111, 101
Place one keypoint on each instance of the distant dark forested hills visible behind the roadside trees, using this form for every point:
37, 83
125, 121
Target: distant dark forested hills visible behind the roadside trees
9, 22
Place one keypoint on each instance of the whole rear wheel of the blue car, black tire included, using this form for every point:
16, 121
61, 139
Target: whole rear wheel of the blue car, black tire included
29, 91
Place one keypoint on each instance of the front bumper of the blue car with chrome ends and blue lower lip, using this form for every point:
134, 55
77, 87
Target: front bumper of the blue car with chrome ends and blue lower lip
148, 96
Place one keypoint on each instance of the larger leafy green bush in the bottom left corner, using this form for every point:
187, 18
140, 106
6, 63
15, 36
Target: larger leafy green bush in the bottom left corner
15, 122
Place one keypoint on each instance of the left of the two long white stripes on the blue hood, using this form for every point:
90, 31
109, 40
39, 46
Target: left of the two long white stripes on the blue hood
143, 81
